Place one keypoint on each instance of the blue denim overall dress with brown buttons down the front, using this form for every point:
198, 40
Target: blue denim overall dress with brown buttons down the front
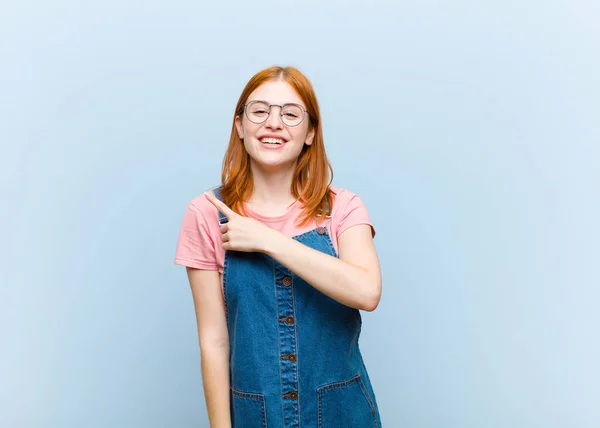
294, 356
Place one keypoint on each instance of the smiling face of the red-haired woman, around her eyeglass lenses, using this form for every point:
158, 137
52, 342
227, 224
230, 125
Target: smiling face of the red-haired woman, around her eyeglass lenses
273, 144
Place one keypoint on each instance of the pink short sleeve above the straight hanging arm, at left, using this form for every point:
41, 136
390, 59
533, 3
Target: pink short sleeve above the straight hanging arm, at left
195, 247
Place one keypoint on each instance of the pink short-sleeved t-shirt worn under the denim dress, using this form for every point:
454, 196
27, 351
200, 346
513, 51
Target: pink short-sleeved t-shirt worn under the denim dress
200, 246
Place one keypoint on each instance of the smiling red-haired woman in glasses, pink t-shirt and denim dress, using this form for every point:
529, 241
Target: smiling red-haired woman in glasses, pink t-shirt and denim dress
280, 264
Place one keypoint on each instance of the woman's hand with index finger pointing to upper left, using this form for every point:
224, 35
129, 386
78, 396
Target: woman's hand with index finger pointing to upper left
242, 233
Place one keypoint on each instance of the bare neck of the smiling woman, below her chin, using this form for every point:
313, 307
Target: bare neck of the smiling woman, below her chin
272, 187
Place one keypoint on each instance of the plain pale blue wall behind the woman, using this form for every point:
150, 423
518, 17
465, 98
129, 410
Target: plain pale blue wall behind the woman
470, 130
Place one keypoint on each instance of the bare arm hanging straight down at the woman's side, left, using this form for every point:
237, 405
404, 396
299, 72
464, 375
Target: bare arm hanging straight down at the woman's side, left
214, 344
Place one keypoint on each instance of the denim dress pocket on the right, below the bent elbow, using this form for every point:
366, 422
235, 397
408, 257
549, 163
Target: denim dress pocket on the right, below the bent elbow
346, 404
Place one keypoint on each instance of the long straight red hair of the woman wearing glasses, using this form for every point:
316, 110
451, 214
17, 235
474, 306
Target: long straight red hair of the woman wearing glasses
313, 173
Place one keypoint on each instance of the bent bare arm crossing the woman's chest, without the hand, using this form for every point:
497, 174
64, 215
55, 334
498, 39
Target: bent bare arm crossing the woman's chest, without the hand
353, 280
